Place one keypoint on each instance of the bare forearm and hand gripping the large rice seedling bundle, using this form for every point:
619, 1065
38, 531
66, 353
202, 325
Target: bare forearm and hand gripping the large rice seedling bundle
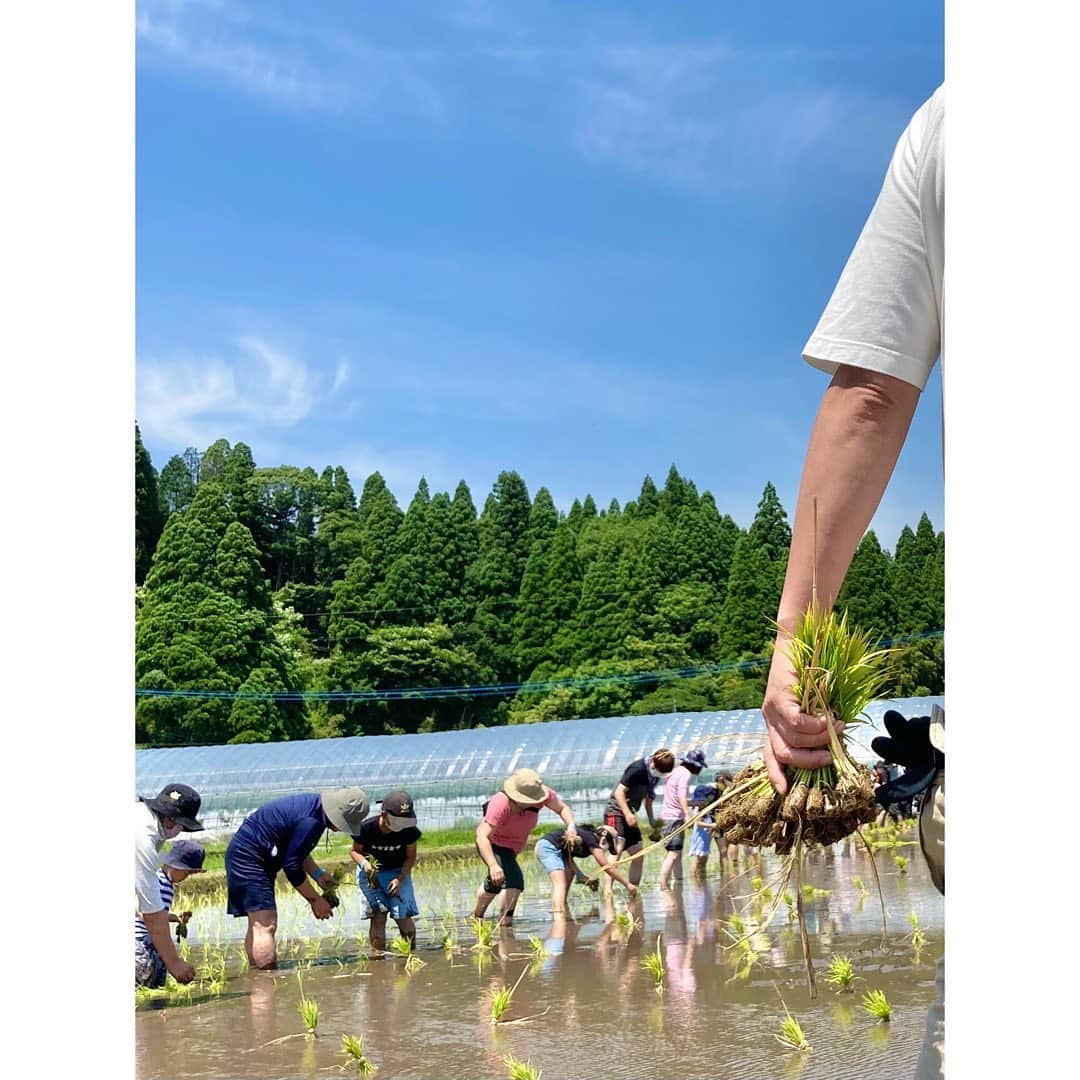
861, 426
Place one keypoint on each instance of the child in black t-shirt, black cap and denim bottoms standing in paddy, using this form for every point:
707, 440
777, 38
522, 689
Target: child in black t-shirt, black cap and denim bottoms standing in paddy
385, 853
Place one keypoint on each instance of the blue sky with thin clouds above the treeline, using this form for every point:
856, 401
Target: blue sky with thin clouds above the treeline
579, 240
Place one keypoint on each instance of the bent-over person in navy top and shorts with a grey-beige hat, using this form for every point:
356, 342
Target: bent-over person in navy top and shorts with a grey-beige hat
281, 836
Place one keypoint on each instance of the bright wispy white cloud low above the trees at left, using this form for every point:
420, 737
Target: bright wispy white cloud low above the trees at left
186, 401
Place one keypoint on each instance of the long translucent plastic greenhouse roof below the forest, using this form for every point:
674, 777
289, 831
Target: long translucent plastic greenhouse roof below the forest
445, 764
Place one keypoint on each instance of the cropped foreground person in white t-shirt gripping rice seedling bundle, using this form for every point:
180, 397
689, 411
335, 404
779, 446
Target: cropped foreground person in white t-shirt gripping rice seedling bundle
880, 339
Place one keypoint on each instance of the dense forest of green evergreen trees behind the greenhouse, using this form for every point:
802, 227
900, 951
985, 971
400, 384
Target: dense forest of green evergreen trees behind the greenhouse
273, 582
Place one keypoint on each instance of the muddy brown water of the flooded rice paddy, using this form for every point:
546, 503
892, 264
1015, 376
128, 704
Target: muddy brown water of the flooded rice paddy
596, 1011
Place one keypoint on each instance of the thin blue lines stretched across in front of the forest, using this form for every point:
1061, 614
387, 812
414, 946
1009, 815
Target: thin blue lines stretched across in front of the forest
493, 690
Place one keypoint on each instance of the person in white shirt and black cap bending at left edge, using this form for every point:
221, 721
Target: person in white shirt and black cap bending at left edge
173, 812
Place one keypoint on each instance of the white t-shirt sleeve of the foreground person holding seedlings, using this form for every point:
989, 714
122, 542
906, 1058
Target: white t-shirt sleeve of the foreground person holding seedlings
887, 312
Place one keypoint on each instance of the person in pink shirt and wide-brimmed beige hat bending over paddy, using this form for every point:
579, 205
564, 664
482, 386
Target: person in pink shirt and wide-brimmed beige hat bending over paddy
509, 818
